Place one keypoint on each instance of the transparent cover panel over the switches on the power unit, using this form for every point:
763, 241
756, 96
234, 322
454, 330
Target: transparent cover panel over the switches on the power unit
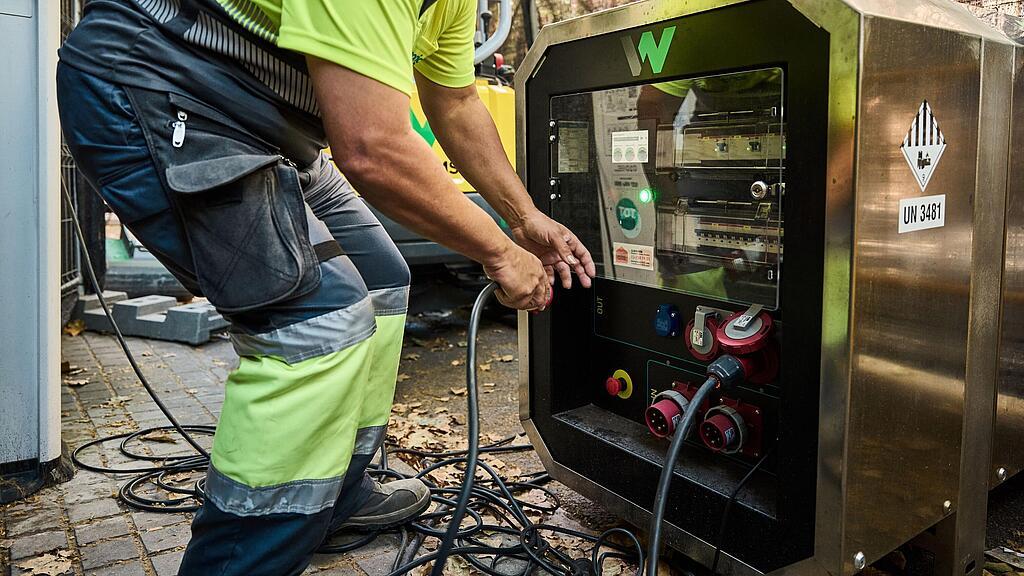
678, 185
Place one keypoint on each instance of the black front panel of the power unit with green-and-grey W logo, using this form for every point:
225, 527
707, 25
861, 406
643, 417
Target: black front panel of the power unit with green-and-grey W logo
699, 186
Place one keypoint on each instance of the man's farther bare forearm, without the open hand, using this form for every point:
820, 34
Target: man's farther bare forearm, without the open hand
467, 134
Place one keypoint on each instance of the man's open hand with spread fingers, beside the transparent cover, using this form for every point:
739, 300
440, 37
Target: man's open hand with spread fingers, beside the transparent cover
557, 246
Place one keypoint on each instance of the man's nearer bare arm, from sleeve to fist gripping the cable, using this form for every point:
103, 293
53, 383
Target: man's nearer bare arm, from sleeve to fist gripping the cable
374, 144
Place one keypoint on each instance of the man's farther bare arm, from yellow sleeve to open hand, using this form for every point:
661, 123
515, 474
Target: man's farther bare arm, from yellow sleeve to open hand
467, 134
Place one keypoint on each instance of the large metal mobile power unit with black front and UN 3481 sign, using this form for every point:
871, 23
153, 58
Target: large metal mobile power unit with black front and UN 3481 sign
829, 191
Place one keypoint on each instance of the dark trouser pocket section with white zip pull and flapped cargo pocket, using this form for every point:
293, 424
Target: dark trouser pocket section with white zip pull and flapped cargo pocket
240, 204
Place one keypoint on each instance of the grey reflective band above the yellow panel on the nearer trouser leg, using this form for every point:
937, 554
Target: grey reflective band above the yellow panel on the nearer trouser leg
314, 338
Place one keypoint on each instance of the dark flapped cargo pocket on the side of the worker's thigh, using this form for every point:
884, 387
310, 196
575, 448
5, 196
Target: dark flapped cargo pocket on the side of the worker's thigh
246, 224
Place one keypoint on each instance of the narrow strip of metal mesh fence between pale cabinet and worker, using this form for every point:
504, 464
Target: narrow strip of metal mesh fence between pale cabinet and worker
71, 265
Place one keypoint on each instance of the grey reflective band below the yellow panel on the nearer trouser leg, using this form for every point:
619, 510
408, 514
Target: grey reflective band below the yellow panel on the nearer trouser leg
304, 497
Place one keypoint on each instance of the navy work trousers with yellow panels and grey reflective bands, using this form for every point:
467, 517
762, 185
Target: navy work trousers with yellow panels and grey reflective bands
318, 331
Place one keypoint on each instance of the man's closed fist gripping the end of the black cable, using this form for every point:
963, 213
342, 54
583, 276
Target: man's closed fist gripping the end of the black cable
522, 279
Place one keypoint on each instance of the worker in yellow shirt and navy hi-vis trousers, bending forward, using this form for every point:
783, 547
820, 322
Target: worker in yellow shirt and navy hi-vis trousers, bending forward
202, 125
